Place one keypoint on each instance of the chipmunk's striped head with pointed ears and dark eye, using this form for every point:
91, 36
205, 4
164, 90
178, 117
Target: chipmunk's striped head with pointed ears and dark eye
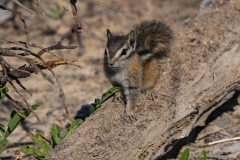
118, 50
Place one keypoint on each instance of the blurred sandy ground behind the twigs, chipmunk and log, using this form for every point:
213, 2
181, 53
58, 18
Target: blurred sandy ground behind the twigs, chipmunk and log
82, 86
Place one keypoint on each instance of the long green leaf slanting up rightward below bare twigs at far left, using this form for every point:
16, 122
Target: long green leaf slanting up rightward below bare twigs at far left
15, 120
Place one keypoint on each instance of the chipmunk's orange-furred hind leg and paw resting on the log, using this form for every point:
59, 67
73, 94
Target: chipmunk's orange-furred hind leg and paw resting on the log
150, 77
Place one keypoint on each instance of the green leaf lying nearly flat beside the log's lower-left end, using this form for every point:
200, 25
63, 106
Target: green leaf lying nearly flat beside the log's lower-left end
33, 151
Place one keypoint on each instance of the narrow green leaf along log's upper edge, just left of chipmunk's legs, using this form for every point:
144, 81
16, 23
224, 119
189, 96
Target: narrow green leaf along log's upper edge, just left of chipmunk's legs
97, 103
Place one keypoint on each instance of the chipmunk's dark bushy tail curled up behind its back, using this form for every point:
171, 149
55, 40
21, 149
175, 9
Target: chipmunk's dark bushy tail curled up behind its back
152, 37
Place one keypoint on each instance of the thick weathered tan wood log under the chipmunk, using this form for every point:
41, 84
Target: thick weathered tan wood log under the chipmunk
201, 73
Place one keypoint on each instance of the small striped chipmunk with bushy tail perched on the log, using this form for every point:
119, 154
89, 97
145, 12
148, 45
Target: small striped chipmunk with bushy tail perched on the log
131, 61
